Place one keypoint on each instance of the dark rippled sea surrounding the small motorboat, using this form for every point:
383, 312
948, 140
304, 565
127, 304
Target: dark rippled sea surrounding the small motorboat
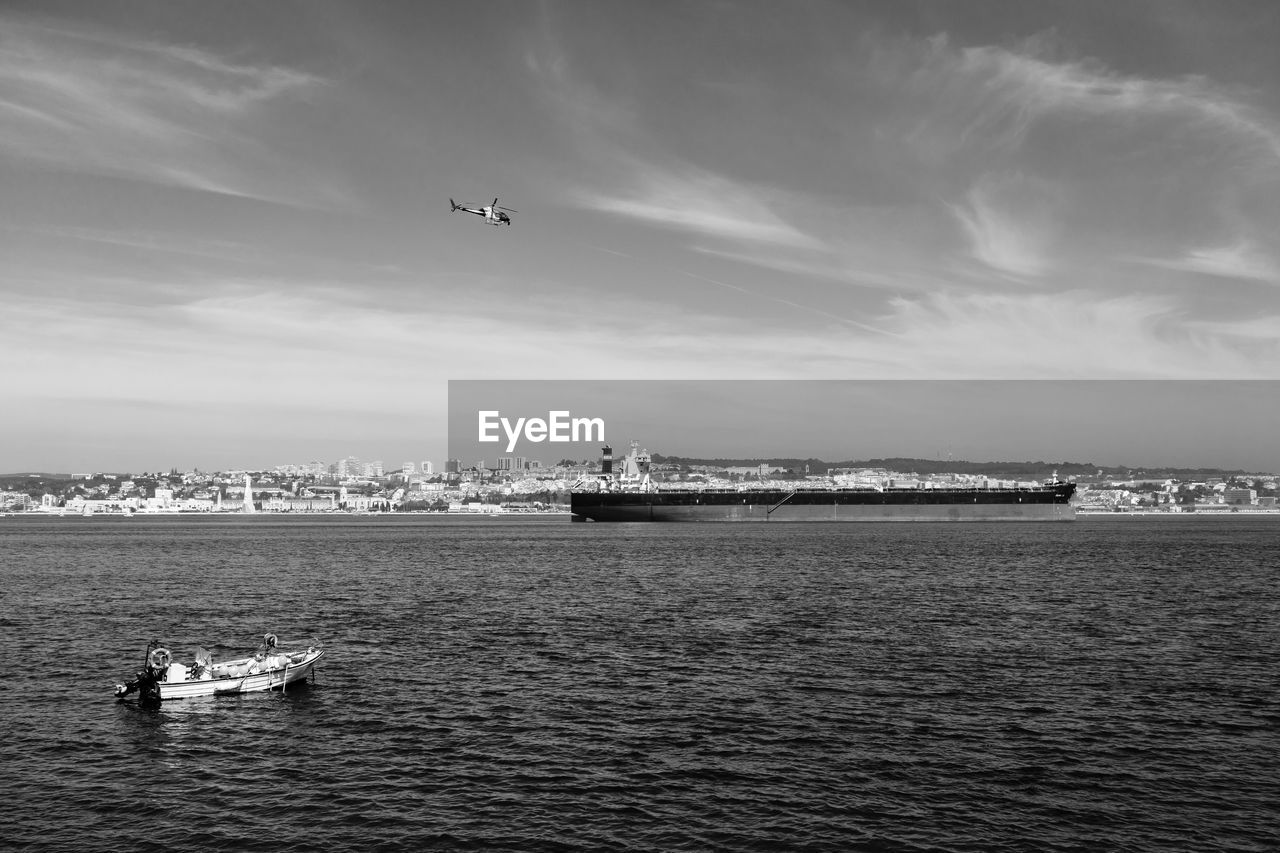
506, 685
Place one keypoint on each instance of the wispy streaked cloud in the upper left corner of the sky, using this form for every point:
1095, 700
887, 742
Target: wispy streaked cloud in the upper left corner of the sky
99, 103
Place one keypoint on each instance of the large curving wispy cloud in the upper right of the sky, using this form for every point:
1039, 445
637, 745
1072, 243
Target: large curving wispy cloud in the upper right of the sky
1064, 172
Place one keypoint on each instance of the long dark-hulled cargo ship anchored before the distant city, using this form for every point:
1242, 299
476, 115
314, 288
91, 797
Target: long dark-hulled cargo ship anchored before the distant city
630, 496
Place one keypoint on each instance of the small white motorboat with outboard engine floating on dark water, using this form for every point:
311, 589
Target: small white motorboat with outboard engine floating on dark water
272, 668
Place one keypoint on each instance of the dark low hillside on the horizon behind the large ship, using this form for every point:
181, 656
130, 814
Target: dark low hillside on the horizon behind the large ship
1026, 471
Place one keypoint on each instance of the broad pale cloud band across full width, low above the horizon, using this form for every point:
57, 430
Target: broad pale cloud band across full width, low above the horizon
260, 346
